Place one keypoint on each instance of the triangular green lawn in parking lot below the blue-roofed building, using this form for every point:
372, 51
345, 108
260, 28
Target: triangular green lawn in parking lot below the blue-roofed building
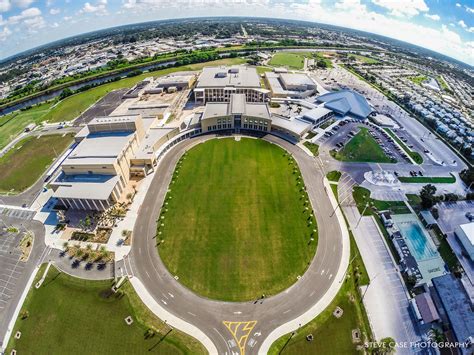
362, 148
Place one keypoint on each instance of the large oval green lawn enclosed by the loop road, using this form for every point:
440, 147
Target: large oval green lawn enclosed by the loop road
236, 225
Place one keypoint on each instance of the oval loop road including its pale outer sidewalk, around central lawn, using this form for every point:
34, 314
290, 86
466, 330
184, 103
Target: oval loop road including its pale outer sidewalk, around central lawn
239, 327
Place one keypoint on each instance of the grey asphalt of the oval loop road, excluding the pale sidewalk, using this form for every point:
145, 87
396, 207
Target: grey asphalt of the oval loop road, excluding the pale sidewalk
209, 315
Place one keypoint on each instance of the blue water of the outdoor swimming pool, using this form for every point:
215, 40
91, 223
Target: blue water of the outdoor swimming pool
419, 245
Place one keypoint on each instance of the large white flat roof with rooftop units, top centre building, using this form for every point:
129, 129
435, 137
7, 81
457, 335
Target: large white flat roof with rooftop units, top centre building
235, 76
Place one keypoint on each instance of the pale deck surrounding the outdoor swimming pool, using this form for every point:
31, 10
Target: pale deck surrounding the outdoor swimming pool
430, 266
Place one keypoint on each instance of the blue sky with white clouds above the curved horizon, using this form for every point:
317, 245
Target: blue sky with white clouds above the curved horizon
444, 26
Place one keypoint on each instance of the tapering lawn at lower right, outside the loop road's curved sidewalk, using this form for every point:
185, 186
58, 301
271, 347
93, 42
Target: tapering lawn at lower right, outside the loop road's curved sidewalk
333, 335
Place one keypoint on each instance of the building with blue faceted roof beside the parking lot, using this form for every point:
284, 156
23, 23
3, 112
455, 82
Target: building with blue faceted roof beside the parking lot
346, 102
